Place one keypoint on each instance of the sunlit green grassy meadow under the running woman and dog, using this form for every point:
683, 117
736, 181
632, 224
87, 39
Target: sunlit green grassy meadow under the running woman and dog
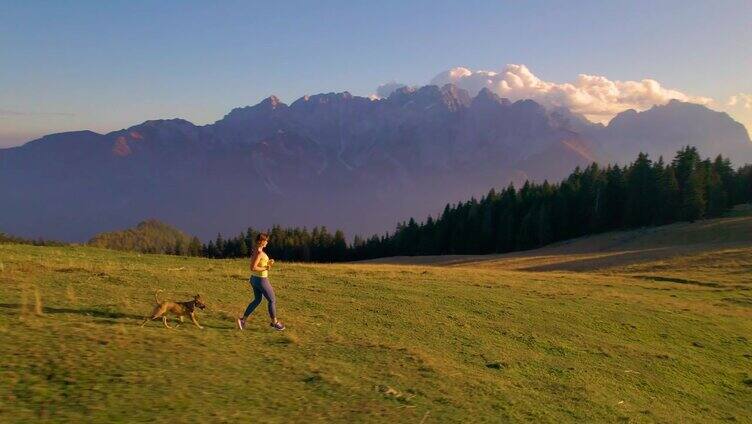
374, 343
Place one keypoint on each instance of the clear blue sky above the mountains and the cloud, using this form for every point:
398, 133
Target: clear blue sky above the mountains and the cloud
106, 65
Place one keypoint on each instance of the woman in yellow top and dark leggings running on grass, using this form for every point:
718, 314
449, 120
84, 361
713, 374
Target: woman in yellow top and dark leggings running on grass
260, 265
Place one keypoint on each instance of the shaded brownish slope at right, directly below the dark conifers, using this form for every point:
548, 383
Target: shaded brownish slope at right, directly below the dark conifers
612, 250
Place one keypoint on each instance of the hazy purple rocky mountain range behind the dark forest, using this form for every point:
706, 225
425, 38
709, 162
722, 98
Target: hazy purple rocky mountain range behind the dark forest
344, 161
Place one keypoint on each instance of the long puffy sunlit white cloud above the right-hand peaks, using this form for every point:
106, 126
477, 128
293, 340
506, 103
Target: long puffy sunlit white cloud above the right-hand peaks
596, 97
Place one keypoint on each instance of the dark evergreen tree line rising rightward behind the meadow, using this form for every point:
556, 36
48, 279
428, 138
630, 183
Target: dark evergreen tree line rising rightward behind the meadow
588, 201
